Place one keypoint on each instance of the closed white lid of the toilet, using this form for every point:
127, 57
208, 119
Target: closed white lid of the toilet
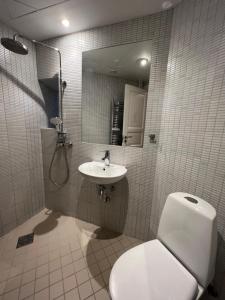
150, 272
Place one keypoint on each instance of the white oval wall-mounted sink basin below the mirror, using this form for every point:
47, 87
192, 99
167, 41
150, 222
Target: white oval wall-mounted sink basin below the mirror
98, 173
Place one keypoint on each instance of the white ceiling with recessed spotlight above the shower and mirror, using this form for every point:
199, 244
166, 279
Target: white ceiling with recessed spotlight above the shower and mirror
41, 19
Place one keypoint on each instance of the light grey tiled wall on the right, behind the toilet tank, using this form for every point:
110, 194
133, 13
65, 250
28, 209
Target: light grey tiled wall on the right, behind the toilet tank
191, 154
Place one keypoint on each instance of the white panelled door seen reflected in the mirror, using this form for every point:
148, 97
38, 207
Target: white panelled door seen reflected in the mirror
134, 116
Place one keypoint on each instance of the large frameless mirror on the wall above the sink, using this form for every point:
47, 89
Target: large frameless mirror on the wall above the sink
114, 94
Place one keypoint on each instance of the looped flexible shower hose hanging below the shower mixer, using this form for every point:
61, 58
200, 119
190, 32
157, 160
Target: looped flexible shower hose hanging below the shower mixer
59, 146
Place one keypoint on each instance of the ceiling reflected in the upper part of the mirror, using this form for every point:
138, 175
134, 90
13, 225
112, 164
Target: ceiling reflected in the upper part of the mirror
119, 61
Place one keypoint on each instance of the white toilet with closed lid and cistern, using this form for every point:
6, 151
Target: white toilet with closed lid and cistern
179, 264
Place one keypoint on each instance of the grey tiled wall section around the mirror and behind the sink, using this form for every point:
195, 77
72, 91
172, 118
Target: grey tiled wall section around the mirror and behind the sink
130, 207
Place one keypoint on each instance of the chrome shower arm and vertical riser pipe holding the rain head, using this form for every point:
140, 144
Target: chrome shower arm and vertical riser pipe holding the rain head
60, 72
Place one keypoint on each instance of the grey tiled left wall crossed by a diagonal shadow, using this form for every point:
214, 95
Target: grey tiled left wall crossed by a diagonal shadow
21, 116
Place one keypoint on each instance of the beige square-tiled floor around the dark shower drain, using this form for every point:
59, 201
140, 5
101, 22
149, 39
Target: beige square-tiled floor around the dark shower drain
69, 259
